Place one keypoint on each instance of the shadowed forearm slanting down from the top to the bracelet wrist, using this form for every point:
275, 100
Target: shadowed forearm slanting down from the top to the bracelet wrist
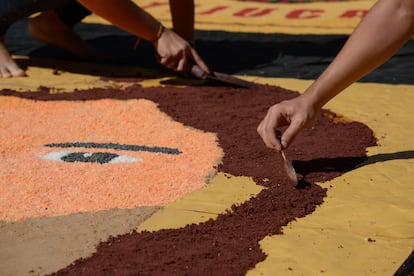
126, 15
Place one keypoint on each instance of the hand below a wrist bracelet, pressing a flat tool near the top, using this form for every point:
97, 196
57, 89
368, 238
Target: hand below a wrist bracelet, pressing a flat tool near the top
177, 54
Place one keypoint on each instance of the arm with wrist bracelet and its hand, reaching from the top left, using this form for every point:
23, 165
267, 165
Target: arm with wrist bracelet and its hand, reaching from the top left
174, 51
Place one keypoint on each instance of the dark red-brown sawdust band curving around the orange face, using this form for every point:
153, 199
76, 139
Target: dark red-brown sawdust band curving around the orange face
229, 244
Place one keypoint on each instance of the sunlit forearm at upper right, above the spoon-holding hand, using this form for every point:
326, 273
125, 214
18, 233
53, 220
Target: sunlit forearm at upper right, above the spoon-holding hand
384, 30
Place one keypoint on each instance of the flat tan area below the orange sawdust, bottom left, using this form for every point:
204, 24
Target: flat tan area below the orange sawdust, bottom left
44, 245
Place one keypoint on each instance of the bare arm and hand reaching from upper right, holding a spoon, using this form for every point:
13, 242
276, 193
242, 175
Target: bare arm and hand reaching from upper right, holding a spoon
384, 30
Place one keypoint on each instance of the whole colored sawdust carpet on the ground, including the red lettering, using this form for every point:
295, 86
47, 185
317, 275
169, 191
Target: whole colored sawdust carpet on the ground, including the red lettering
108, 169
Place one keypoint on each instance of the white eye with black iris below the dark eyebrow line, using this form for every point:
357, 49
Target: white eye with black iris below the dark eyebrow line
89, 157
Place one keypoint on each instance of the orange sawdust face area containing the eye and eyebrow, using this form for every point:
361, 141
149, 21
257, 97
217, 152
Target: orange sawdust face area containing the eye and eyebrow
144, 172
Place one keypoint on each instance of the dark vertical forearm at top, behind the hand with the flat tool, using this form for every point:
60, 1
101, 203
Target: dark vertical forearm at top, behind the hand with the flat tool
182, 13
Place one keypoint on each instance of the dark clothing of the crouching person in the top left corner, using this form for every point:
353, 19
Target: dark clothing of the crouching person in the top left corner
14, 10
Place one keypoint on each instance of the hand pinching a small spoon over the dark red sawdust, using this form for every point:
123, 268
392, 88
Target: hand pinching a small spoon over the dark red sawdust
296, 113
